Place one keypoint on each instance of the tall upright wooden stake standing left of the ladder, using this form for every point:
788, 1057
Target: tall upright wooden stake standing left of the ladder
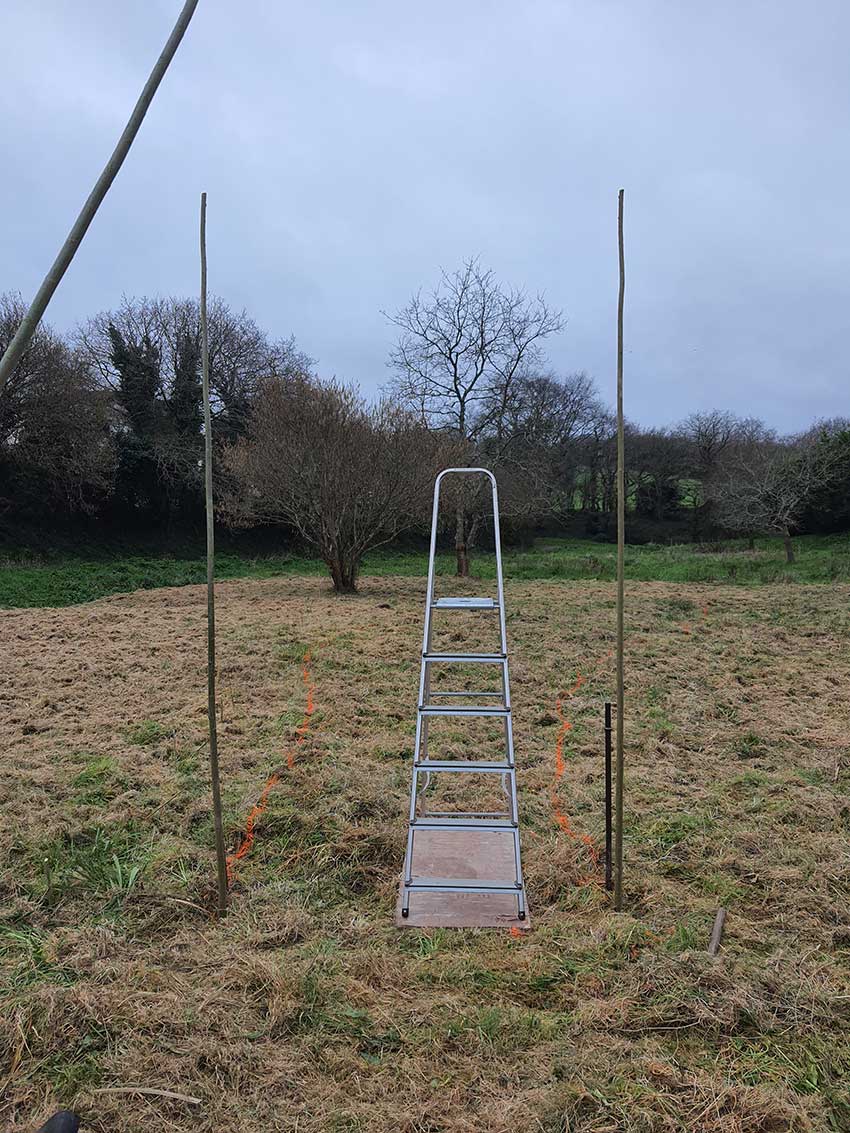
220, 854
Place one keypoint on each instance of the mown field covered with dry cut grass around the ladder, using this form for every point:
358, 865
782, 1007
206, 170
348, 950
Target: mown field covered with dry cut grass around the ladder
305, 1010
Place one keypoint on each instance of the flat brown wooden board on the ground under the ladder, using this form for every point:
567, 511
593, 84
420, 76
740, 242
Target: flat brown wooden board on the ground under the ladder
473, 855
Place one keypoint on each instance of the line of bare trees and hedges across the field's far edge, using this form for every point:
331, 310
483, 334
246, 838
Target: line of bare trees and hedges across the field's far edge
107, 423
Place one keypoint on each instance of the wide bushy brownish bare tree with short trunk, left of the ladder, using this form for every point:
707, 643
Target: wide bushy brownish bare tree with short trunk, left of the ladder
348, 478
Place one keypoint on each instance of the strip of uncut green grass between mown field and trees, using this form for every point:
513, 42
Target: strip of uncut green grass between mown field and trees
28, 581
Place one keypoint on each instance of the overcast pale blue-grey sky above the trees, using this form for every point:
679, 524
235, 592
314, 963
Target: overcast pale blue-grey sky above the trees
353, 150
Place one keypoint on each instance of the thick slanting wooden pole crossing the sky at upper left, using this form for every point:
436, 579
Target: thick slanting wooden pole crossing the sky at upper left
52, 282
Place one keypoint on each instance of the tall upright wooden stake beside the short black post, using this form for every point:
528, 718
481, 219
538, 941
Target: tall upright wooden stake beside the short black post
620, 574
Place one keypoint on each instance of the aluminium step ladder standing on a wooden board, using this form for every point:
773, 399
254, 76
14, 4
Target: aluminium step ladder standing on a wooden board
486, 830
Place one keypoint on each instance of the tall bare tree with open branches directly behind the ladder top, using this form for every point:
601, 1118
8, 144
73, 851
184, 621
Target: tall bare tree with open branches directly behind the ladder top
462, 355
